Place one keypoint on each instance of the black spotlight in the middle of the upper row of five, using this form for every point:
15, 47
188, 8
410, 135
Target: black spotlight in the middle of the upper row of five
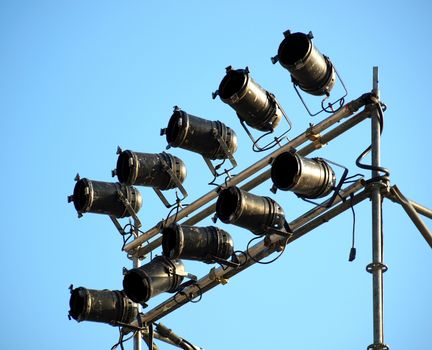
199, 135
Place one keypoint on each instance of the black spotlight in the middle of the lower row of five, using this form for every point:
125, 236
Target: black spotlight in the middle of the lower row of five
206, 244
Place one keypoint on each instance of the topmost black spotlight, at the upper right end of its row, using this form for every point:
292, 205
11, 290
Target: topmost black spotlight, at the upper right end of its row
310, 70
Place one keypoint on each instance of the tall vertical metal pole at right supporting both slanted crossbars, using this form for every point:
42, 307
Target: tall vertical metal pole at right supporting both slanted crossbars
377, 267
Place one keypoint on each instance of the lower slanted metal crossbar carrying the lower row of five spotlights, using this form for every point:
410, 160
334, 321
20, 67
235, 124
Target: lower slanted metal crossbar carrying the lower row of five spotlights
259, 251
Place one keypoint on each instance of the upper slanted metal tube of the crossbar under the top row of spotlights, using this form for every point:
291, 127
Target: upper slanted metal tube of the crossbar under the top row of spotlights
344, 112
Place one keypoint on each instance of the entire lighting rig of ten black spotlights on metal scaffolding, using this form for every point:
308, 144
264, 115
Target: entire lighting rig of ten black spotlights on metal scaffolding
232, 202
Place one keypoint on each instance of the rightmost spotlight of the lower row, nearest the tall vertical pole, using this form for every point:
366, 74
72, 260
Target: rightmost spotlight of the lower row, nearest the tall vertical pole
309, 178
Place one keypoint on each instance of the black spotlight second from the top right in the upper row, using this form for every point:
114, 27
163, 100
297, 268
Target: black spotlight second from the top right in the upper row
253, 104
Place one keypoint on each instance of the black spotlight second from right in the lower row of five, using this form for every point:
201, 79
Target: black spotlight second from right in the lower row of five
258, 214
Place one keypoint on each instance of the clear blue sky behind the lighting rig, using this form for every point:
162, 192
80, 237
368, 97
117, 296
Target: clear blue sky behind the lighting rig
78, 78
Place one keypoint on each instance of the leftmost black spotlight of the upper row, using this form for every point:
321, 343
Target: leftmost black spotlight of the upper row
100, 197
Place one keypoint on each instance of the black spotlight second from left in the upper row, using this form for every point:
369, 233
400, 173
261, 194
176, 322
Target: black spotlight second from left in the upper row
146, 169
